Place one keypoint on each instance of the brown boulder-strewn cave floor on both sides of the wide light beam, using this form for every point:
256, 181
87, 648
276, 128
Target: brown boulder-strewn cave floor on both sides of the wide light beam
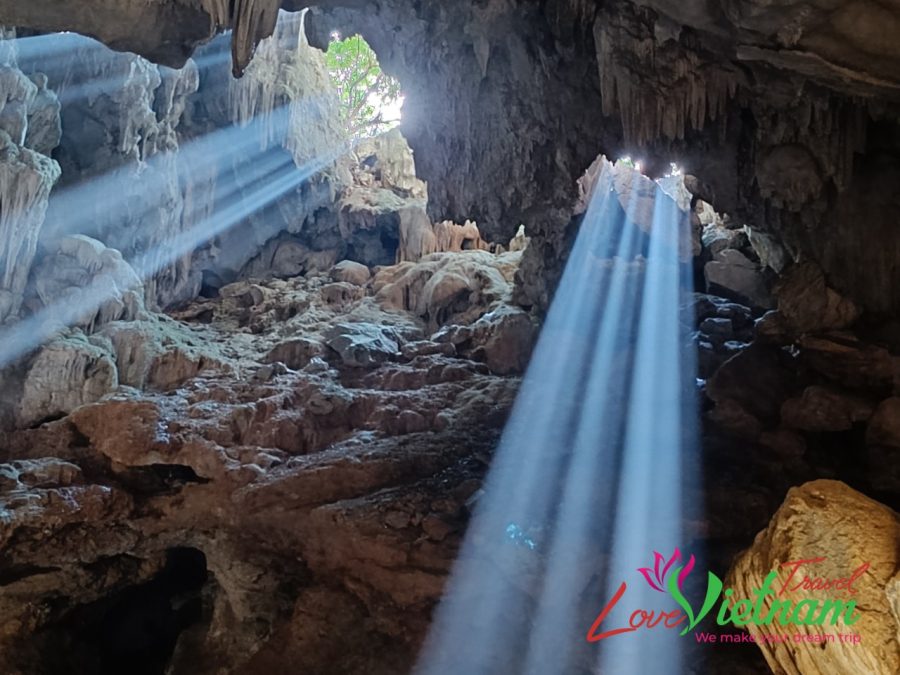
281, 477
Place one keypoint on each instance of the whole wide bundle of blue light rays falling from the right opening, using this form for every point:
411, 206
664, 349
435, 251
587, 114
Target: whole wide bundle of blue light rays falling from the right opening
586, 481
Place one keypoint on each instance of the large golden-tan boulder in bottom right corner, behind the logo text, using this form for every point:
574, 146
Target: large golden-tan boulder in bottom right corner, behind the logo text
842, 534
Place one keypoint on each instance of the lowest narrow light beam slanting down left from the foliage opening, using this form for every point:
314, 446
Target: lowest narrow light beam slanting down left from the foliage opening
27, 334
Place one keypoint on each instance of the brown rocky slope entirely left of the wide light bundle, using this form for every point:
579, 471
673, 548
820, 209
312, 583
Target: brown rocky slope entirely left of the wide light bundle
315, 399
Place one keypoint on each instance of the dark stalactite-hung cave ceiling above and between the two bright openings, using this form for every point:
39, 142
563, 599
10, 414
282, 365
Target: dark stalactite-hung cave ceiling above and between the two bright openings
508, 102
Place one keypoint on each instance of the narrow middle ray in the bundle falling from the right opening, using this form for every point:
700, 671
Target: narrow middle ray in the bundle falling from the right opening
578, 536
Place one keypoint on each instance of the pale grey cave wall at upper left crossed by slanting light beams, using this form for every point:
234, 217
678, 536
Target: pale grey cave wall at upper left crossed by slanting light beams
138, 150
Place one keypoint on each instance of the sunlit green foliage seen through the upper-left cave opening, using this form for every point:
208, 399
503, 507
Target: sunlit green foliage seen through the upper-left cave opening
365, 91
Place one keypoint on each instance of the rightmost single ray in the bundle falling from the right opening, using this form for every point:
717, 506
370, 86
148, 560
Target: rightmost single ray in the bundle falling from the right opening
650, 506
